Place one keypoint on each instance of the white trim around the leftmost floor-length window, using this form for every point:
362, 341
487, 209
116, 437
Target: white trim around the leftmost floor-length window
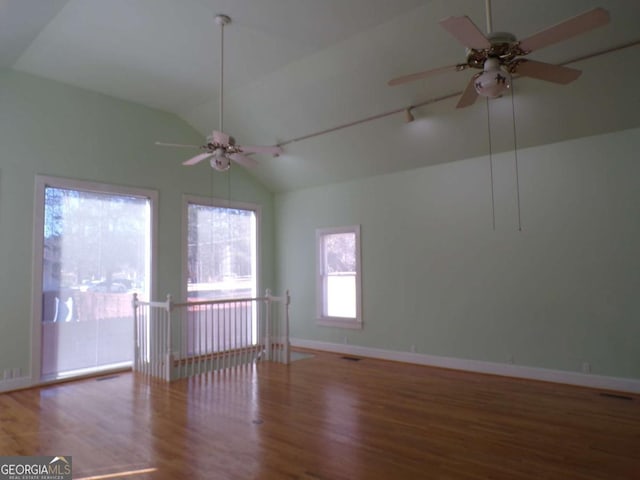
41, 183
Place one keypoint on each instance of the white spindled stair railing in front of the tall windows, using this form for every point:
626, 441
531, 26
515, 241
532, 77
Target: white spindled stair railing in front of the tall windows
177, 340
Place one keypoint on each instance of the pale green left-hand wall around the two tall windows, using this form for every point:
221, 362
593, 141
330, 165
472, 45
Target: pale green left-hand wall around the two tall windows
51, 129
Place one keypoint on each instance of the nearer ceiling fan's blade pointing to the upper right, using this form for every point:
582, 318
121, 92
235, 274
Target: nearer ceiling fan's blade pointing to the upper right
565, 30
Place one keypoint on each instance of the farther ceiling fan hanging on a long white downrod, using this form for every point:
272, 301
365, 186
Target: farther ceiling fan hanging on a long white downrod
221, 148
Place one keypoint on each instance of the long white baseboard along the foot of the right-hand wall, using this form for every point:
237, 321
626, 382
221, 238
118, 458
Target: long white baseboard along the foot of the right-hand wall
507, 370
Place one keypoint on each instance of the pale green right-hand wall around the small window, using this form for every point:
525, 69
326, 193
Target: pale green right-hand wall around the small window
437, 276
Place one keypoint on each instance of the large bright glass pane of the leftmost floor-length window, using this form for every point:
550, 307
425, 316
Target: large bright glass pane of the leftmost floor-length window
96, 253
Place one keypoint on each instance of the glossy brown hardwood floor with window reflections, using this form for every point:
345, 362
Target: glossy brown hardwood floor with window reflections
327, 418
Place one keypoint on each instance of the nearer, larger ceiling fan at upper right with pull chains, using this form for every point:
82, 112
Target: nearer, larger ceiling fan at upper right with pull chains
499, 54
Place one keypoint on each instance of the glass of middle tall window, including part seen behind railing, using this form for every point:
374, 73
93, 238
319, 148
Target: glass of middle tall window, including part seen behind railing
221, 265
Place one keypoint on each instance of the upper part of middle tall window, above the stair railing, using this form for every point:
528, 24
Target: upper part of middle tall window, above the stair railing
221, 250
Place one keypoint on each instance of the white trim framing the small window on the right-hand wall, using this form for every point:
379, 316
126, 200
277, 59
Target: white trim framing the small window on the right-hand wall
341, 322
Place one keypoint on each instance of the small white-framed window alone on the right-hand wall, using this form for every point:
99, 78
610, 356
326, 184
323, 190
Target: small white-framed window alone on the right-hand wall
338, 295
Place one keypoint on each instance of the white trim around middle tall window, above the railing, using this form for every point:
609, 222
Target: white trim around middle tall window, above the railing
220, 203
